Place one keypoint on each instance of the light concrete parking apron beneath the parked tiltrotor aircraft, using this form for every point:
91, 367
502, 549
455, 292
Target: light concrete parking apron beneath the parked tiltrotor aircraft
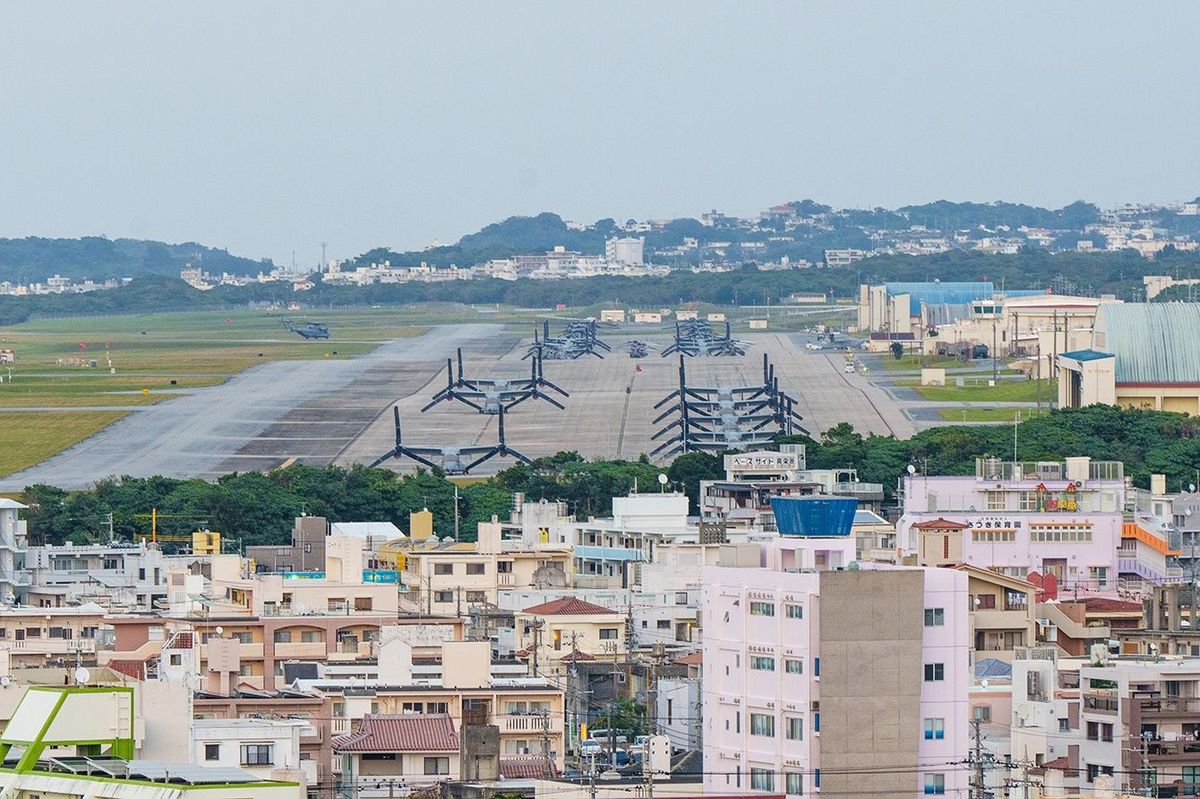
604, 420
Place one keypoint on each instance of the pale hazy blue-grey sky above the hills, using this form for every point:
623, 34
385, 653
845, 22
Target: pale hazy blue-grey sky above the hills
269, 128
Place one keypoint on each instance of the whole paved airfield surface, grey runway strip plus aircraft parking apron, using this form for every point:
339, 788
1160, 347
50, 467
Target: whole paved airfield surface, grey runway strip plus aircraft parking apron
340, 411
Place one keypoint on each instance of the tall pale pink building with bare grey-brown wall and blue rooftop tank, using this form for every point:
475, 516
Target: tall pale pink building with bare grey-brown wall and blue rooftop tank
813, 666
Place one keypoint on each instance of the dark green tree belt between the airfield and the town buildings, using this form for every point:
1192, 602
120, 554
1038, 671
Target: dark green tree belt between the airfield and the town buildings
255, 508
